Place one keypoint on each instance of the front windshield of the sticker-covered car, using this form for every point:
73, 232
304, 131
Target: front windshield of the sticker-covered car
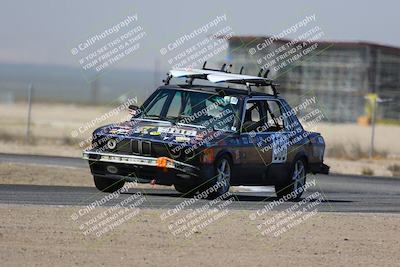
198, 108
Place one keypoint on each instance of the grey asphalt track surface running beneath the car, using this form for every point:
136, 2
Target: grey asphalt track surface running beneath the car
339, 193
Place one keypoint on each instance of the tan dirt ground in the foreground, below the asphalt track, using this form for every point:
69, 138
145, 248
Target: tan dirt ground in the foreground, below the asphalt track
46, 236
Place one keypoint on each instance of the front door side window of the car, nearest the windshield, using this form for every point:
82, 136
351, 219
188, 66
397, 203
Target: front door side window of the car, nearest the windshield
253, 116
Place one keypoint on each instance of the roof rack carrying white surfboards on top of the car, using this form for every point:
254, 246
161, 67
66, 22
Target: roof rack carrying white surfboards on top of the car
223, 75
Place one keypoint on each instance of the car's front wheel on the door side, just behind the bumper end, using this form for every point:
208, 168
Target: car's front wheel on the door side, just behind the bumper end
222, 175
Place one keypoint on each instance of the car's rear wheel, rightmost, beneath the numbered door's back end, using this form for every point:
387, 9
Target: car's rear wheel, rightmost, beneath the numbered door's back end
293, 185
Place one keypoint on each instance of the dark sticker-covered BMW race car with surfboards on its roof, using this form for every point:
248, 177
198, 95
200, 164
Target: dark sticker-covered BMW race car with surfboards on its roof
207, 137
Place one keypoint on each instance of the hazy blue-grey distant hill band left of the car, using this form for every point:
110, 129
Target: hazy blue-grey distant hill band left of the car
67, 84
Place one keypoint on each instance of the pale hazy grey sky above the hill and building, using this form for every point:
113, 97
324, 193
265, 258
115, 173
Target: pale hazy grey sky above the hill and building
44, 31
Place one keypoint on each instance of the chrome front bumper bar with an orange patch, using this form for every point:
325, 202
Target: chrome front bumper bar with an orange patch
161, 162
